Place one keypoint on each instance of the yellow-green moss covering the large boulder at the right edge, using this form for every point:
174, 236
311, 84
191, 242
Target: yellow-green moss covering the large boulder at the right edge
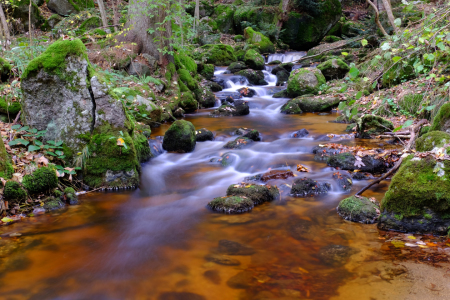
418, 184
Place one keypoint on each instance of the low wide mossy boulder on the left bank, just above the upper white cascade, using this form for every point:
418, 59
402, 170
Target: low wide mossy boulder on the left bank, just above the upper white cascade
218, 55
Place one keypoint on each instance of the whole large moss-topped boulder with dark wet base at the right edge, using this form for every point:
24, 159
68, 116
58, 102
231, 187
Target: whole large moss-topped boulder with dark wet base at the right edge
418, 199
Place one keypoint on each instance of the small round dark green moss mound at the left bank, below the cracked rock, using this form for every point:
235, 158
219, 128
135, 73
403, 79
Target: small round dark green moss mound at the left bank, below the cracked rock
41, 180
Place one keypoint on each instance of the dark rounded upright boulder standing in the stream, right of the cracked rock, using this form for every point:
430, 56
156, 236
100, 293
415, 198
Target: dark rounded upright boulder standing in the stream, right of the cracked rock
180, 137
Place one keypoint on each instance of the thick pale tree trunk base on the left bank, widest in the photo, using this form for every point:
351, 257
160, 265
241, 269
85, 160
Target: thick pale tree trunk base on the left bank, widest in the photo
140, 22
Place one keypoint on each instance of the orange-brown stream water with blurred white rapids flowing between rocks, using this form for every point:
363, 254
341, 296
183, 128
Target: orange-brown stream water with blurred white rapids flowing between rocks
151, 243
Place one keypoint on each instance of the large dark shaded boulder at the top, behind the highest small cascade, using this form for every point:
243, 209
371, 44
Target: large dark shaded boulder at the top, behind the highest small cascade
304, 29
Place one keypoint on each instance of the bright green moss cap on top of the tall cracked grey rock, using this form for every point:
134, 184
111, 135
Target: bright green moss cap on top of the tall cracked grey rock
53, 60
